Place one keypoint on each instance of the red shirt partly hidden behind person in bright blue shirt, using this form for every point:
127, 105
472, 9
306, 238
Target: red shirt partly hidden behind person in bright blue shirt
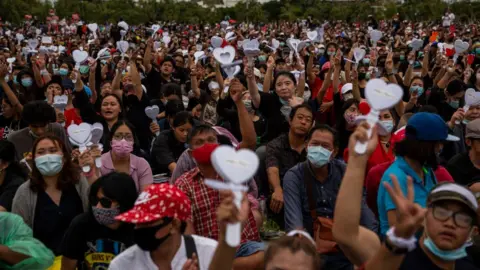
375, 175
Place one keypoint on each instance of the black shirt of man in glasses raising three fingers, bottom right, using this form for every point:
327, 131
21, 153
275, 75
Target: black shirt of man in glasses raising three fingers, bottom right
417, 259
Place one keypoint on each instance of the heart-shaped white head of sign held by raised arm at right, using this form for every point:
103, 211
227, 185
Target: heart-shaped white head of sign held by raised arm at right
381, 96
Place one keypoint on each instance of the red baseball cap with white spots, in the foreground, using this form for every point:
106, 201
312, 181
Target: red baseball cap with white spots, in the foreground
156, 202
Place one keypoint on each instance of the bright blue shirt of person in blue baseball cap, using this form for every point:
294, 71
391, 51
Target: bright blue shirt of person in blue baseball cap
401, 170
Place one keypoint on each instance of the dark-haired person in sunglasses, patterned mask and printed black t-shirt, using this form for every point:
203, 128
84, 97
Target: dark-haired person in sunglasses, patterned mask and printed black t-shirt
96, 234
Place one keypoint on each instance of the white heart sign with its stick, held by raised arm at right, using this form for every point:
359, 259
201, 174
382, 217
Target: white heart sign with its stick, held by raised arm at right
380, 96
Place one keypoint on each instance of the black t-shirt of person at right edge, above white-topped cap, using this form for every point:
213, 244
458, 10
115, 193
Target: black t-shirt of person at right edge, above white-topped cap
462, 170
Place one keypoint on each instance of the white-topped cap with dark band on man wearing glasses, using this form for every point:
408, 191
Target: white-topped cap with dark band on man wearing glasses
453, 192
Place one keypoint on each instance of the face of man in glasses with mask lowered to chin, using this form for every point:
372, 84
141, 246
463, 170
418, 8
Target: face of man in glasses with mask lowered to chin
449, 224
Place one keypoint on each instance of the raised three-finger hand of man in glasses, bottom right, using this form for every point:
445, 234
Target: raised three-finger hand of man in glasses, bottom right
410, 215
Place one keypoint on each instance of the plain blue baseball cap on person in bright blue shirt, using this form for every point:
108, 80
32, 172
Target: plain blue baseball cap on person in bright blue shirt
425, 126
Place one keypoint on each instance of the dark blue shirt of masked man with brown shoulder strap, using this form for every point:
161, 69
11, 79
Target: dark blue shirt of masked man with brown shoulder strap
297, 210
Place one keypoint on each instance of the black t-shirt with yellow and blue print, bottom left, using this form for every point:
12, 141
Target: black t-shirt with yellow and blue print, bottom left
93, 245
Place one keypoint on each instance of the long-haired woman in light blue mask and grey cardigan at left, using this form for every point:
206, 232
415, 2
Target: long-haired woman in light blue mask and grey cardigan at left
54, 195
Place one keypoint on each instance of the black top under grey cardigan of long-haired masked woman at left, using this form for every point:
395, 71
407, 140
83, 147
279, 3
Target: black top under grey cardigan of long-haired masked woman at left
51, 221
